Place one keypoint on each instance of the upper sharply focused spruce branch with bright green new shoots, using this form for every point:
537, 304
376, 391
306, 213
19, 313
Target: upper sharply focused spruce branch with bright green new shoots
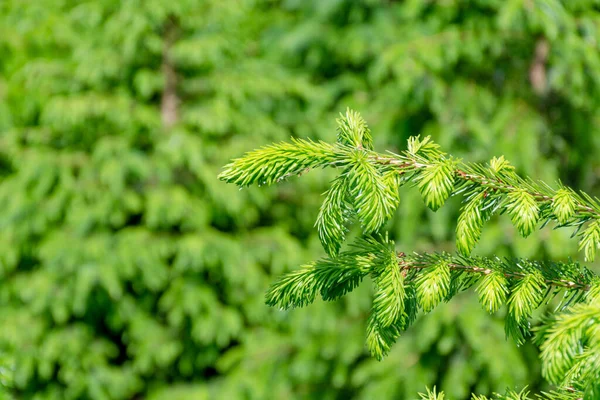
371, 181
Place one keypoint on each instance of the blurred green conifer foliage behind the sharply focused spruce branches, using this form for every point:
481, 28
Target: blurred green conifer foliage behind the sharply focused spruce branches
128, 271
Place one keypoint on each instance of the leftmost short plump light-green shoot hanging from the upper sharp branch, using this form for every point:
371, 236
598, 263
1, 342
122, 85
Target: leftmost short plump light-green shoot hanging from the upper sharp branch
435, 182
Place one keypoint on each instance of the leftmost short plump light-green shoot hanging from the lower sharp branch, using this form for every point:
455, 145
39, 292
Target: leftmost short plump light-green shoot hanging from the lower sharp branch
433, 285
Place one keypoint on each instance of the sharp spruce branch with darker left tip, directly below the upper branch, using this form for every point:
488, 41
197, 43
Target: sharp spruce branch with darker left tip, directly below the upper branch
405, 284
